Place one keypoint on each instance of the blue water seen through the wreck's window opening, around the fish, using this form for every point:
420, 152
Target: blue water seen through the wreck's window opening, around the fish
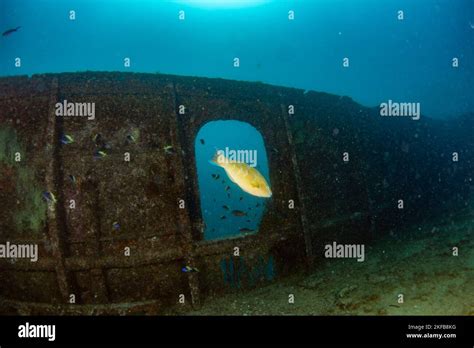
219, 221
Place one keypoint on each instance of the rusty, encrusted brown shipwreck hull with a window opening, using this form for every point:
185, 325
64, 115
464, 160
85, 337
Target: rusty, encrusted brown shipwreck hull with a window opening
81, 254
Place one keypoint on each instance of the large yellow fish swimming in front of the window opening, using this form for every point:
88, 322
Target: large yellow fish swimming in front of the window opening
247, 178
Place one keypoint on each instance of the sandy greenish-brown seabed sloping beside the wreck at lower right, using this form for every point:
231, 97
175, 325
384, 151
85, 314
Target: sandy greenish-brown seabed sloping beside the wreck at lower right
417, 262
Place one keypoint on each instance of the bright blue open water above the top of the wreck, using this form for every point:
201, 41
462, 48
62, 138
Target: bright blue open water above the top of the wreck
408, 61
